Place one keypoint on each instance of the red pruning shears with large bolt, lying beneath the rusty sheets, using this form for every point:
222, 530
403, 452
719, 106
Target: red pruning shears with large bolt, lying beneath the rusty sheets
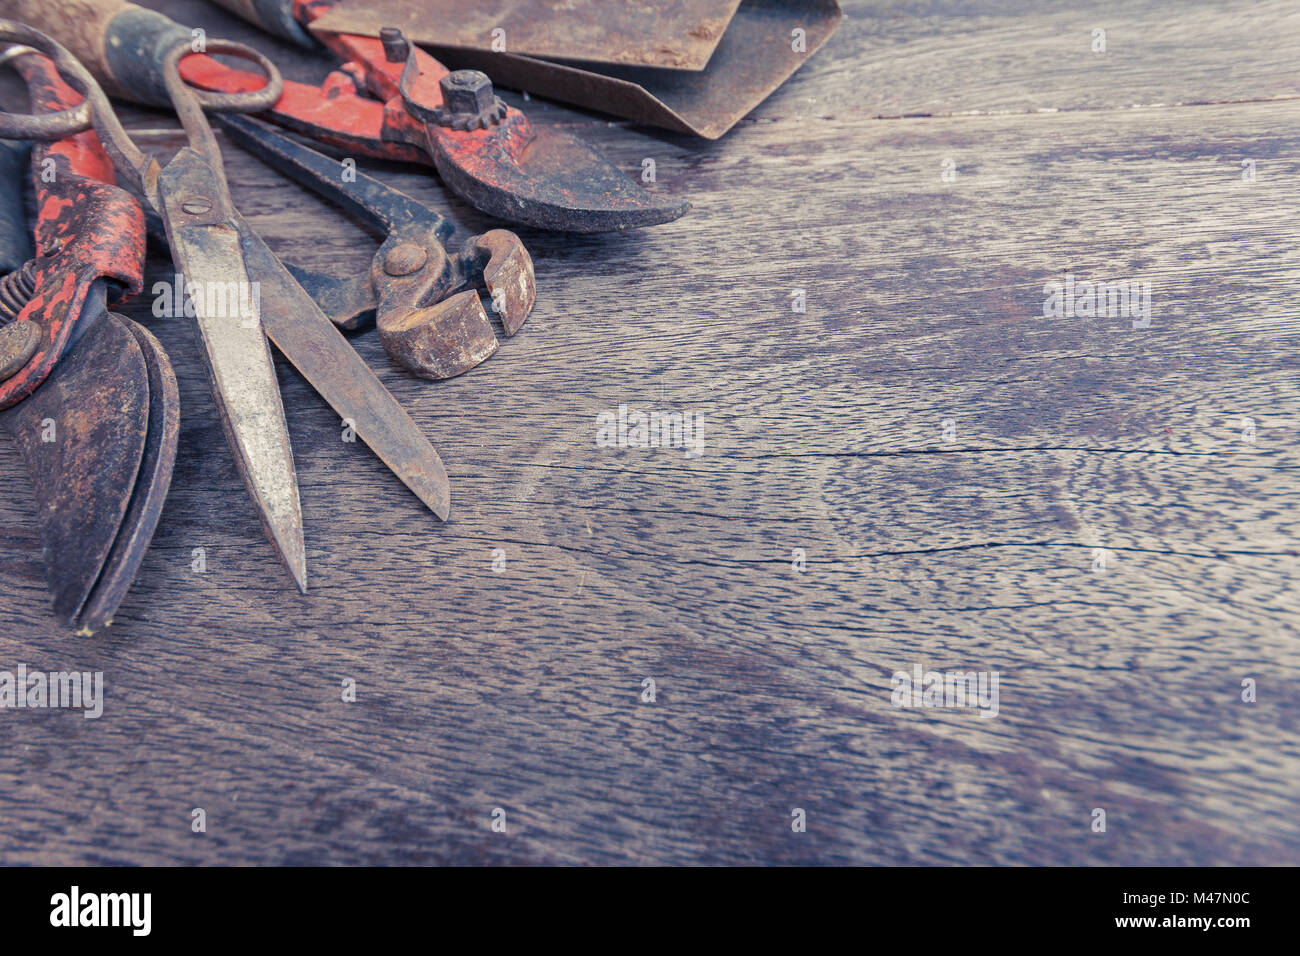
393, 101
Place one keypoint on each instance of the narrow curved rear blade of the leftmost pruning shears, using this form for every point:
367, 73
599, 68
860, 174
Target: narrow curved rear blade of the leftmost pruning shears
151, 487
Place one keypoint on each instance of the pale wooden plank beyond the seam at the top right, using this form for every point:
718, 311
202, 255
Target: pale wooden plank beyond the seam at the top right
903, 58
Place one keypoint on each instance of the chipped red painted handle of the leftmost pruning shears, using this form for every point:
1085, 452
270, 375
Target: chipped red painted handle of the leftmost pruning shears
86, 231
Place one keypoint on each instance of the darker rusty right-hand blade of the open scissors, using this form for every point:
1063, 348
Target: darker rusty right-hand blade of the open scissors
307, 339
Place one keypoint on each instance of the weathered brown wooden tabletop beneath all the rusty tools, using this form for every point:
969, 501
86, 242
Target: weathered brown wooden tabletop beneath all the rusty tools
918, 469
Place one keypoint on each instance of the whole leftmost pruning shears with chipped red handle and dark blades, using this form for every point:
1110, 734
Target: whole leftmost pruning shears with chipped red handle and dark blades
89, 397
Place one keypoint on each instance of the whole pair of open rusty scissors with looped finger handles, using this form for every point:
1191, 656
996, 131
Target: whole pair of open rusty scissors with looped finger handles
214, 248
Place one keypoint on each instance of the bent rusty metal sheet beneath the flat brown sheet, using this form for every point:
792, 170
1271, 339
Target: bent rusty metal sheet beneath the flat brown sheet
755, 57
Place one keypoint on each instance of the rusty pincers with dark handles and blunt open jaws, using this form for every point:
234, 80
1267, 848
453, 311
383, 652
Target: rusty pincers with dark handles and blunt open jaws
424, 302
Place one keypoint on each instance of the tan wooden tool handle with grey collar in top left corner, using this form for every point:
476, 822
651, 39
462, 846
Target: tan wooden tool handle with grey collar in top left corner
122, 44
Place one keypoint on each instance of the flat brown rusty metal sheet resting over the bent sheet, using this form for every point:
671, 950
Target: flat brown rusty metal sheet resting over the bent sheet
670, 34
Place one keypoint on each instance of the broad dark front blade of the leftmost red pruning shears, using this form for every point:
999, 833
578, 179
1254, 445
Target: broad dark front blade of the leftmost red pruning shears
83, 438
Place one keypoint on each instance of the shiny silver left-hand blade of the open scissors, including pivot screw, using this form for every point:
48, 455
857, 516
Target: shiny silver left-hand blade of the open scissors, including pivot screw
210, 257
